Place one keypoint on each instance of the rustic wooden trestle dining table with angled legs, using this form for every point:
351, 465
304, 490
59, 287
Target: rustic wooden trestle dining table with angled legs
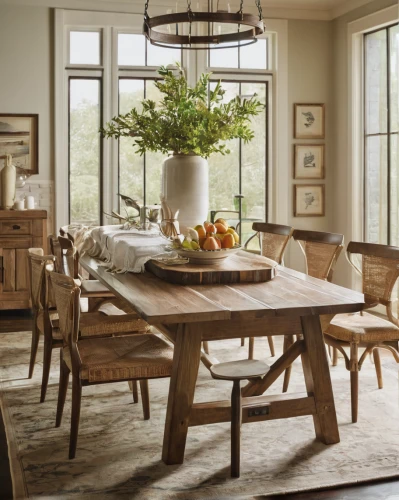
290, 304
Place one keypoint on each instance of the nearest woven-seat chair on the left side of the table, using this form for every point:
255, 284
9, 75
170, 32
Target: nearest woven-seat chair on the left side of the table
103, 360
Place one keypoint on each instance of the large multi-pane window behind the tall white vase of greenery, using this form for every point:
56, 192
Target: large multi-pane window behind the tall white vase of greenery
108, 70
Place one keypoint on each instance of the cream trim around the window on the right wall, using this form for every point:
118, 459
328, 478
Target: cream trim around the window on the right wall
356, 93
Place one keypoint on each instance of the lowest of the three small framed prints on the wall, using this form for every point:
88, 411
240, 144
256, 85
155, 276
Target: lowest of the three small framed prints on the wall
309, 200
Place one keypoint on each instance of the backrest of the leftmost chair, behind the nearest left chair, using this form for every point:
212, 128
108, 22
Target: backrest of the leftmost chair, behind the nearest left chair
37, 266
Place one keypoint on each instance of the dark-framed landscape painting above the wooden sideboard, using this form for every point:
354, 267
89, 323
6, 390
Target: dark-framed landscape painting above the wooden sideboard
19, 137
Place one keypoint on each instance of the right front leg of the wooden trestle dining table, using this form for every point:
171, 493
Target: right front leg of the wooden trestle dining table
318, 381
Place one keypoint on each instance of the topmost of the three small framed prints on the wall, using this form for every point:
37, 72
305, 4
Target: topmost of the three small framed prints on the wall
309, 121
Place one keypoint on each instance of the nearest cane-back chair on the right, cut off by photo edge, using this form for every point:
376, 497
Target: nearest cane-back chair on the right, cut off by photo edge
380, 272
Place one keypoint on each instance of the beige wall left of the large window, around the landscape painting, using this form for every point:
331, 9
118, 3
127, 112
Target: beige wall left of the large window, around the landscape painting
26, 73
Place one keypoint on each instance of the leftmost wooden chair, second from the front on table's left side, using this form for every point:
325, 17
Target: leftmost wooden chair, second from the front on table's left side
45, 319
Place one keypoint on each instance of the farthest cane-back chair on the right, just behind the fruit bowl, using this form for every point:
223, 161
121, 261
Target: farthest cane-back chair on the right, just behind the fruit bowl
273, 239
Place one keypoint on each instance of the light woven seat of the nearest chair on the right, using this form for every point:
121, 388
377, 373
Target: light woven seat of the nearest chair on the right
365, 328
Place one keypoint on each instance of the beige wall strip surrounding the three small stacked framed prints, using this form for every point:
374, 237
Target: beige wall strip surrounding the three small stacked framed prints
309, 81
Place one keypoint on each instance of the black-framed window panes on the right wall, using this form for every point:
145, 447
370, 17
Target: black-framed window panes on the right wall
381, 185
